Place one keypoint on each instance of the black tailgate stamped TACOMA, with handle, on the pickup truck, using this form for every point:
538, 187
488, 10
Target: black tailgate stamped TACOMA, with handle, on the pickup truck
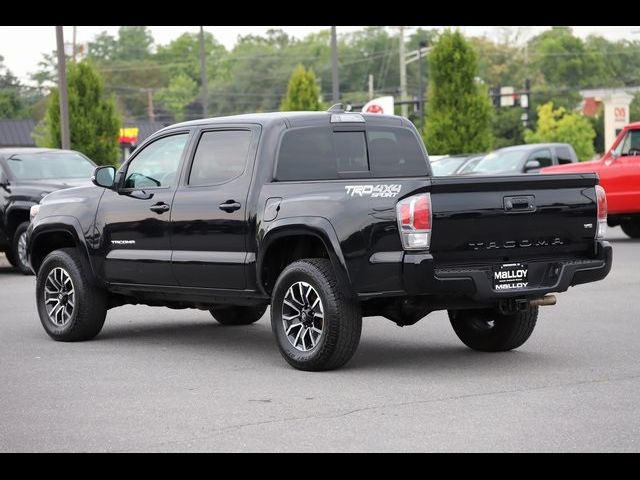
513, 218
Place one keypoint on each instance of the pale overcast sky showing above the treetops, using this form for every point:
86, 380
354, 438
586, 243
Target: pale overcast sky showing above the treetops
22, 47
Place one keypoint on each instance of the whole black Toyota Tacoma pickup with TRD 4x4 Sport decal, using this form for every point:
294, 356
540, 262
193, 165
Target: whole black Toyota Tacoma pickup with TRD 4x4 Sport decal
326, 216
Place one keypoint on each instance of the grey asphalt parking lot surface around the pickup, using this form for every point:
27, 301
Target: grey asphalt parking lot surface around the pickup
164, 380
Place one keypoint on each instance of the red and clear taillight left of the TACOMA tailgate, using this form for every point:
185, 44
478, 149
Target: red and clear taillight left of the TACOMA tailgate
414, 221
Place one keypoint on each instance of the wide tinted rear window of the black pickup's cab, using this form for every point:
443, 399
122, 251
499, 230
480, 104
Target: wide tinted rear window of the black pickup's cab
318, 153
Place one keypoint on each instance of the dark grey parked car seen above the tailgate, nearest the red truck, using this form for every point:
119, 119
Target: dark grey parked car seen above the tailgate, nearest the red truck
525, 159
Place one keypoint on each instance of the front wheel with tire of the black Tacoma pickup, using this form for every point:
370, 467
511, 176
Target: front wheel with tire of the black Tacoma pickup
85, 318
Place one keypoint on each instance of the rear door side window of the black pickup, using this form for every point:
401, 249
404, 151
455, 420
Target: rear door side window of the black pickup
220, 157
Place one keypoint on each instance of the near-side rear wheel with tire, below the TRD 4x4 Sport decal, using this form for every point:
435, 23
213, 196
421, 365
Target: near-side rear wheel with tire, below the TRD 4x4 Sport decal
310, 285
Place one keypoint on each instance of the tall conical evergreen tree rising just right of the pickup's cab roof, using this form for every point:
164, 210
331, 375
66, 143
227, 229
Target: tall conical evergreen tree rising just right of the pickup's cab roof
459, 110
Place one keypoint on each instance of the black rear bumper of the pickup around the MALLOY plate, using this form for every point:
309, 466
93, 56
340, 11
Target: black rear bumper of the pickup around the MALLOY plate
421, 277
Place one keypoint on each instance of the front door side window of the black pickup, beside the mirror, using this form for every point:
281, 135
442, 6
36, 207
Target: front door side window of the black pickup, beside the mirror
157, 165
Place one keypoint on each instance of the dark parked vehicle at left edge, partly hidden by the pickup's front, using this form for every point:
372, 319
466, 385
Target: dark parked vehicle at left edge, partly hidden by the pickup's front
26, 176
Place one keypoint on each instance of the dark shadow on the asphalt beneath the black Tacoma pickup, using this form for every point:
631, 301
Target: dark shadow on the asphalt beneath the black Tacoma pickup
254, 344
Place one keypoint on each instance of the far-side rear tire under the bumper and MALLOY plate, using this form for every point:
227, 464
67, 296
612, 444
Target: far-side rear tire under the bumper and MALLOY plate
490, 331
